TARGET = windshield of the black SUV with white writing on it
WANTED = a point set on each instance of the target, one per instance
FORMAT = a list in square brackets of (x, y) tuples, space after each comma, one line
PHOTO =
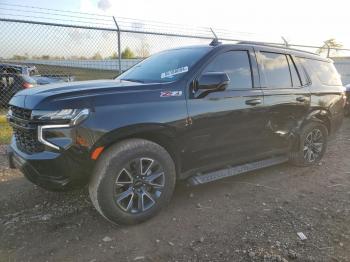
[(166, 66)]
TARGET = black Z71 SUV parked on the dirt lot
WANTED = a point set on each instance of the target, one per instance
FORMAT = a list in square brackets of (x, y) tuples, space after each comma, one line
[(200, 113)]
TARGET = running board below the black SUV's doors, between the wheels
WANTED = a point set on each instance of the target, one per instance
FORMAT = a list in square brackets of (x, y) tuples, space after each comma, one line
[(236, 170)]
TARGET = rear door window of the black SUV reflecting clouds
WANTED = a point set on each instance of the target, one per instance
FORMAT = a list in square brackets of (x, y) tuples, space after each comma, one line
[(276, 70)]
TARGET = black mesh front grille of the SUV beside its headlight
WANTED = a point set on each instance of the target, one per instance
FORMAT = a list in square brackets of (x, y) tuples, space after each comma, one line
[(25, 131)]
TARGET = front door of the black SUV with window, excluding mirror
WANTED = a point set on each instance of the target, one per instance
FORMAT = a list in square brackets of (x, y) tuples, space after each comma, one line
[(226, 125)]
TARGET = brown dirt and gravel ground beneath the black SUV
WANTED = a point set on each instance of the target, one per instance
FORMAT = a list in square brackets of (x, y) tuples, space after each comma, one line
[(253, 217)]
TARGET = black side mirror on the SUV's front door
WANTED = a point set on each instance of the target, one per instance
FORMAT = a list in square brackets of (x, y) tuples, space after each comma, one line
[(212, 81)]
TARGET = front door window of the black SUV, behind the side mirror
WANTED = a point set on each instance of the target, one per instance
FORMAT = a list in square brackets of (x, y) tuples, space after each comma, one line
[(237, 66)]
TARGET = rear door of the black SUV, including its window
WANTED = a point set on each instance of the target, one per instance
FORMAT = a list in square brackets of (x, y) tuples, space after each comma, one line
[(286, 98)]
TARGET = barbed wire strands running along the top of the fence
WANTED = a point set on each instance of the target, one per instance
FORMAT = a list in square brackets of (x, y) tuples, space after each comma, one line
[(132, 24)]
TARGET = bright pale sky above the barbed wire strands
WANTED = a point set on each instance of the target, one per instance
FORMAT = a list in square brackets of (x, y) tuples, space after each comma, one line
[(300, 21)]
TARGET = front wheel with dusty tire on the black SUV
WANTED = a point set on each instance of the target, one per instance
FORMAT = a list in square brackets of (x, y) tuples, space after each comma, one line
[(132, 181)]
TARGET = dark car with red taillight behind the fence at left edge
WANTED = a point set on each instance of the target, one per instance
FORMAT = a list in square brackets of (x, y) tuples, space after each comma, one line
[(11, 83)]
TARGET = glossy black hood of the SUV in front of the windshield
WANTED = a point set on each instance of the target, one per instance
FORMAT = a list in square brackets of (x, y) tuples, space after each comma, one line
[(76, 94)]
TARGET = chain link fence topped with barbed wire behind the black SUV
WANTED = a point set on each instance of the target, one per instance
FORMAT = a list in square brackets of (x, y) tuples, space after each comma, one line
[(42, 48)]
